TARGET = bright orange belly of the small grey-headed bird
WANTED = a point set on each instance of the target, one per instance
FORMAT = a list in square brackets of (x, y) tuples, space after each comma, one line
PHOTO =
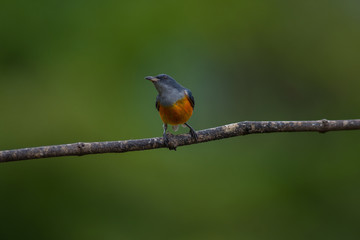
[(178, 113)]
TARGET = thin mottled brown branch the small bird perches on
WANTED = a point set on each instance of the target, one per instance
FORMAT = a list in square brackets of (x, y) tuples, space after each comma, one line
[(226, 131)]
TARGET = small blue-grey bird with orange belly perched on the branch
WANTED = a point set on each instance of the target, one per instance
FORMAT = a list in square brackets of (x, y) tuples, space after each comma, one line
[(174, 103)]
